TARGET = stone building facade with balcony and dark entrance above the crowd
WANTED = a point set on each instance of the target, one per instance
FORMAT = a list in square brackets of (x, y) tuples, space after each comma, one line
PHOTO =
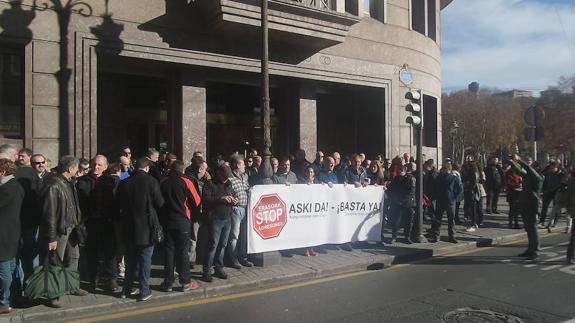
[(89, 77)]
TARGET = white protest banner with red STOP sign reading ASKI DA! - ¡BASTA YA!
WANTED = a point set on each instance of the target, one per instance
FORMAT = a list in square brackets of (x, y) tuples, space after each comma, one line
[(297, 216)]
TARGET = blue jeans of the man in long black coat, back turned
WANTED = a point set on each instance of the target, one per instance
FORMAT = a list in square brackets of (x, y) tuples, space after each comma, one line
[(138, 257)]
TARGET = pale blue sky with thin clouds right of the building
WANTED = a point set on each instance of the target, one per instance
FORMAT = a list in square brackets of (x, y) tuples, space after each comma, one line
[(507, 44)]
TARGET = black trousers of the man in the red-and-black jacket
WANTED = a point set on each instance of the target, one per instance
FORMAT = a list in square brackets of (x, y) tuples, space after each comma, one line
[(176, 246)]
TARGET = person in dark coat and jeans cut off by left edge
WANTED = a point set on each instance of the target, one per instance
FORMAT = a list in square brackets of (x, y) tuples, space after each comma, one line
[(11, 197)]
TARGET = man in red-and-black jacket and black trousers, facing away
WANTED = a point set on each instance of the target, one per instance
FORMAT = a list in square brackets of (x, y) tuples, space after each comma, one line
[(181, 198)]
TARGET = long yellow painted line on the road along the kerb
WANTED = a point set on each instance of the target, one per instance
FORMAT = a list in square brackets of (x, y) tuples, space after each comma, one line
[(167, 307)]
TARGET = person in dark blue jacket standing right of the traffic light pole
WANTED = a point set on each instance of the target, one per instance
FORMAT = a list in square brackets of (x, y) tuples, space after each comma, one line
[(448, 187)]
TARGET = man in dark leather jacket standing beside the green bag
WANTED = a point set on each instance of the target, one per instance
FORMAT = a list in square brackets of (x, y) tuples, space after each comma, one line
[(60, 215)]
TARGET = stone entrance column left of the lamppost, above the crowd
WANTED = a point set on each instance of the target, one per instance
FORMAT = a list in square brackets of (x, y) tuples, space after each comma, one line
[(191, 122)]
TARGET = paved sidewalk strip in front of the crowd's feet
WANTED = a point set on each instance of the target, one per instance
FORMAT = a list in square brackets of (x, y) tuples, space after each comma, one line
[(331, 261)]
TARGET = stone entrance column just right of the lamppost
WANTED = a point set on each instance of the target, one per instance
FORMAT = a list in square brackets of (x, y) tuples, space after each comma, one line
[(308, 120)]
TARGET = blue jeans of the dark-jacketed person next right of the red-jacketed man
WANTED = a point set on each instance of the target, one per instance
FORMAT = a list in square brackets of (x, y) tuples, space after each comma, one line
[(217, 241)]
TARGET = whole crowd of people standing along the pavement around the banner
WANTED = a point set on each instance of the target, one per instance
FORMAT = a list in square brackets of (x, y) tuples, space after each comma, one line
[(105, 218)]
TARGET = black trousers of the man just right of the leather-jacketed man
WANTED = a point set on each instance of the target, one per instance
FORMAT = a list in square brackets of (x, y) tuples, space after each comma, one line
[(101, 248)]
